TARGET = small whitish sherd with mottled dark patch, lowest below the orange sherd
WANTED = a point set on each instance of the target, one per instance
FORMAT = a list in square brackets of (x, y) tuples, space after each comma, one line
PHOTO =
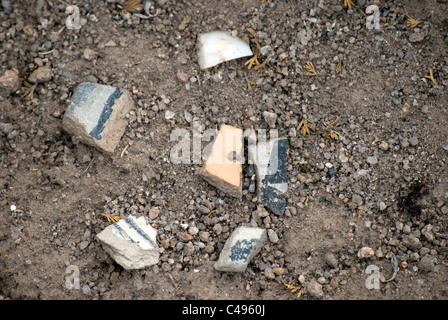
[(240, 248)]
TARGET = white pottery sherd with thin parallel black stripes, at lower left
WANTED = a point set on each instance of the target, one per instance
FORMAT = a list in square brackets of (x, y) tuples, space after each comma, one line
[(131, 242)]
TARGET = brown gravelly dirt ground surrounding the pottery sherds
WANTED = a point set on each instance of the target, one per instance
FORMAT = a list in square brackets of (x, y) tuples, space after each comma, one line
[(376, 178)]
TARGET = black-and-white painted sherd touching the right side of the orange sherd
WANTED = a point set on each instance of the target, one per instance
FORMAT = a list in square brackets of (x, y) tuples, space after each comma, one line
[(270, 159)]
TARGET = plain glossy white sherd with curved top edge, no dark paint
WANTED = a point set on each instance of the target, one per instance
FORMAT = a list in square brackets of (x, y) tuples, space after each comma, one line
[(217, 47)]
